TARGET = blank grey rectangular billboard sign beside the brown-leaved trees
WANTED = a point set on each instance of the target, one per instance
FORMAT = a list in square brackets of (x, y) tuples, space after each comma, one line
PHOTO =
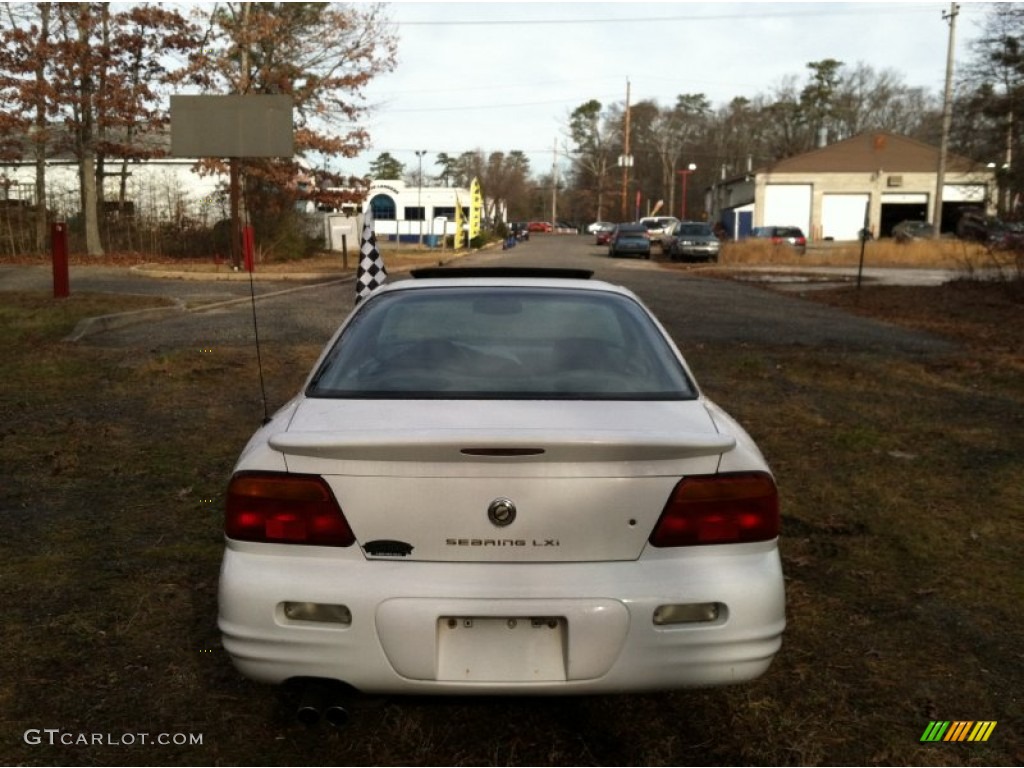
[(254, 126)]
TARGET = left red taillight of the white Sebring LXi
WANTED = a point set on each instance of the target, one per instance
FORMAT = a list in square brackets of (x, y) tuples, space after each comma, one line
[(284, 508)]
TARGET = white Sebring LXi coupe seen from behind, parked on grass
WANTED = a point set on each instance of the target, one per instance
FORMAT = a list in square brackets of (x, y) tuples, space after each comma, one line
[(501, 483)]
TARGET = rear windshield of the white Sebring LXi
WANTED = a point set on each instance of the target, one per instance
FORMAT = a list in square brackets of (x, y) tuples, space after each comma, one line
[(487, 343)]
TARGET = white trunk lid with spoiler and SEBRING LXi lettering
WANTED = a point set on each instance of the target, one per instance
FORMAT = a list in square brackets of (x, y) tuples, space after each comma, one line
[(466, 482)]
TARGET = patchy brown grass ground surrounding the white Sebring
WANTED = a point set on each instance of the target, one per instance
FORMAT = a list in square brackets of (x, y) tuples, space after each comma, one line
[(903, 483)]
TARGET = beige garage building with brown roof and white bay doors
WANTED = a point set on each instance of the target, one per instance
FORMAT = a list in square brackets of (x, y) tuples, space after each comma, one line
[(828, 192)]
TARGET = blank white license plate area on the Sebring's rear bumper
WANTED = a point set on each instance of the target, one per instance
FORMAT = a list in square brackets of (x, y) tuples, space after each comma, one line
[(506, 650)]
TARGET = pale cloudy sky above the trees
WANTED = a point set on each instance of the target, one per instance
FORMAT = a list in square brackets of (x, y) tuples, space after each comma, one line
[(498, 77)]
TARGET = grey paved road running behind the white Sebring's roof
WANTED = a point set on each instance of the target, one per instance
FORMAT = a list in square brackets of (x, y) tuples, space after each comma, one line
[(695, 310)]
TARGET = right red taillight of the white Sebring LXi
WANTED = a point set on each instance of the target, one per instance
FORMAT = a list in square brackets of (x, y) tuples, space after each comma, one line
[(719, 509)]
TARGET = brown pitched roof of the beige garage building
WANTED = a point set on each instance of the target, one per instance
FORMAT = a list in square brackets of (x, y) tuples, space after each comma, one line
[(871, 152)]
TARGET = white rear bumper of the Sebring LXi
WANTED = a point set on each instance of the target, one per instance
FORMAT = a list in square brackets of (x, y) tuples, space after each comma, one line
[(607, 641)]
